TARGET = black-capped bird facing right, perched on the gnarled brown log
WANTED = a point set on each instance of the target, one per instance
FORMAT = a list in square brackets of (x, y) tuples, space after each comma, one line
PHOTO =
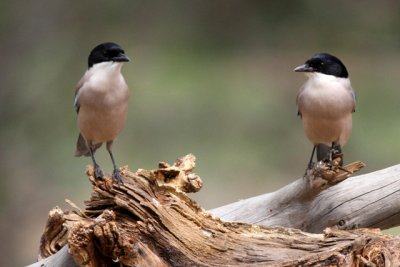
[(101, 104)]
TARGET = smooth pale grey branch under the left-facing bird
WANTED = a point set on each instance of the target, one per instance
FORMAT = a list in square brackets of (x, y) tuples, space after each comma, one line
[(312, 203)]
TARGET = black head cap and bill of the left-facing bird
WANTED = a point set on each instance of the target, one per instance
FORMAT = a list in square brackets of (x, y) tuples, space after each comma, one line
[(326, 64)]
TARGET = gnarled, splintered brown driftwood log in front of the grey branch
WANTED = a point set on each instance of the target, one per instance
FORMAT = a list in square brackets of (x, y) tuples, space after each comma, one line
[(150, 221)]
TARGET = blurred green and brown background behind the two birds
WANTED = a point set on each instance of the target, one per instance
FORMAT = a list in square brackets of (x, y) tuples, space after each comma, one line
[(209, 77)]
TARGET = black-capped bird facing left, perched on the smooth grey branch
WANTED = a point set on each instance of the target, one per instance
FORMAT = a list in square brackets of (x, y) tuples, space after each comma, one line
[(325, 104)]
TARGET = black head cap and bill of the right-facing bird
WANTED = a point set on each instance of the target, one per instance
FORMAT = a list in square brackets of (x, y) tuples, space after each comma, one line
[(107, 52)]
